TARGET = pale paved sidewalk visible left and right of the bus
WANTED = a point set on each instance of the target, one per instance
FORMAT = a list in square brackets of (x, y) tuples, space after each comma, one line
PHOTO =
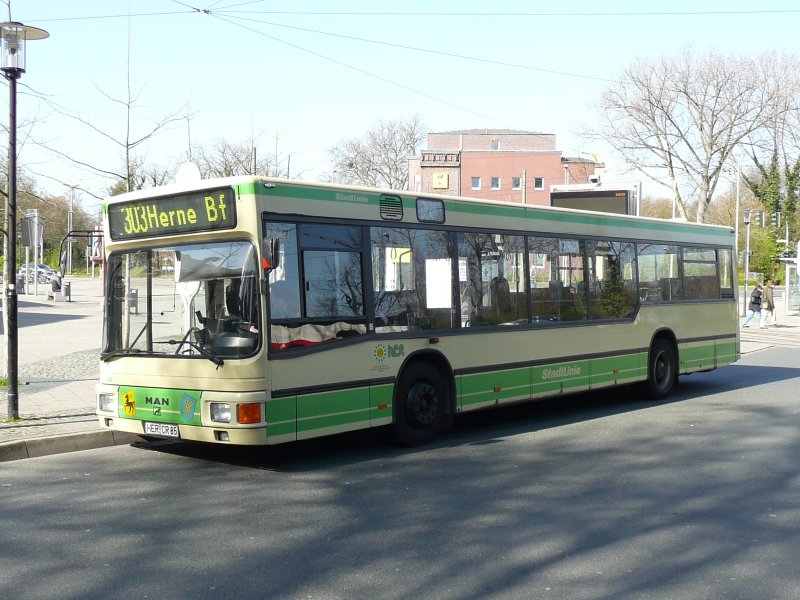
[(59, 348)]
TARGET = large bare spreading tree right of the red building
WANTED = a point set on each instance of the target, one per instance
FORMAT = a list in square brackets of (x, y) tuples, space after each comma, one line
[(683, 117)]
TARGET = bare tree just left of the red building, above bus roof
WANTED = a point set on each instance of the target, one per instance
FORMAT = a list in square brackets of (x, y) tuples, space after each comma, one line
[(380, 157)]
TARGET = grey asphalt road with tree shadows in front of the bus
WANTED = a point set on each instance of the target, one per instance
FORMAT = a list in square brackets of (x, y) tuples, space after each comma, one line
[(599, 496)]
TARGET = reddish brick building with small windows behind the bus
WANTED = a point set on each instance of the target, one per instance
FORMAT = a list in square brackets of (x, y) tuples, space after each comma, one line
[(496, 164)]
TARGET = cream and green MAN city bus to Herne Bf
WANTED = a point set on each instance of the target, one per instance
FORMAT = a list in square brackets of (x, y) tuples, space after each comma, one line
[(259, 311)]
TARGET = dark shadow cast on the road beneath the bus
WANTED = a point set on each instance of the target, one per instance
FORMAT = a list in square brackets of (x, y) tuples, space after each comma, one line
[(475, 428)]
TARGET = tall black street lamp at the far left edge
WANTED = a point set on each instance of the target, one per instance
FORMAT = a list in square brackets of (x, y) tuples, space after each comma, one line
[(13, 37)]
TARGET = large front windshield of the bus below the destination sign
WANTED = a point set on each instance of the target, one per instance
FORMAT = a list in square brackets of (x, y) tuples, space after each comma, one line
[(193, 300)]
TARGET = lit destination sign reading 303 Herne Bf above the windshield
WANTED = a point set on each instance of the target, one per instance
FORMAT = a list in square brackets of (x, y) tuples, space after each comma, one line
[(199, 211)]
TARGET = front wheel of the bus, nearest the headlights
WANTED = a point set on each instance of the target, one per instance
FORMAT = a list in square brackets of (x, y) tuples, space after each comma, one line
[(419, 404)]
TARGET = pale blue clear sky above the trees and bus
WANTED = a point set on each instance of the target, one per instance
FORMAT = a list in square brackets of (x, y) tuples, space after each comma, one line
[(300, 76)]
